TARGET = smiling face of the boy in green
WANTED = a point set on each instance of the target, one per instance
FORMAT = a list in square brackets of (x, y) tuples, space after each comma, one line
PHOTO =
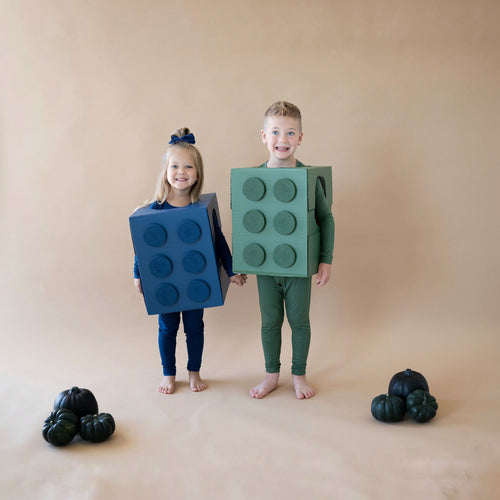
[(281, 135)]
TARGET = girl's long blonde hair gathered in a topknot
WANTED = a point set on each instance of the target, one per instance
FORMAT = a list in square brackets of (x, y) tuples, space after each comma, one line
[(163, 187)]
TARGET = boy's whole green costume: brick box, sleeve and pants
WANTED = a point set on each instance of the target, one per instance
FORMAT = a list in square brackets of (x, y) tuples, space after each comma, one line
[(283, 229)]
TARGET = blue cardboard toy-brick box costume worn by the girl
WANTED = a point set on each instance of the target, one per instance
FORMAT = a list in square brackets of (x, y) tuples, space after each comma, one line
[(176, 257)]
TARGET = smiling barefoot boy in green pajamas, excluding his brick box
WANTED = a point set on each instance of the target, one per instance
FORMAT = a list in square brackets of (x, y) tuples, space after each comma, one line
[(282, 134)]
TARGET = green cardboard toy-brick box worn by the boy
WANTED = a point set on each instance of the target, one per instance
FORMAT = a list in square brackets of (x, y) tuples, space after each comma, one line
[(273, 214)]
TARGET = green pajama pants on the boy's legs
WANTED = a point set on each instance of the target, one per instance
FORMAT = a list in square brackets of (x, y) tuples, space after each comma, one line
[(295, 295)]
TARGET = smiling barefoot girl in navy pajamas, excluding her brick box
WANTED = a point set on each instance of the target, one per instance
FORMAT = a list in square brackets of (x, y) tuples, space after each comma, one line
[(179, 184)]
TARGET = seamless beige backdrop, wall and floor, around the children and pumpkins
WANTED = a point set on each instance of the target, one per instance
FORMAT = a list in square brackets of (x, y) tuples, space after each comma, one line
[(402, 98)]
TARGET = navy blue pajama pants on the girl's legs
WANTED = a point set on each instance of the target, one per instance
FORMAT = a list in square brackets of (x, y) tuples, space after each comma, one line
[(167, 339)]
